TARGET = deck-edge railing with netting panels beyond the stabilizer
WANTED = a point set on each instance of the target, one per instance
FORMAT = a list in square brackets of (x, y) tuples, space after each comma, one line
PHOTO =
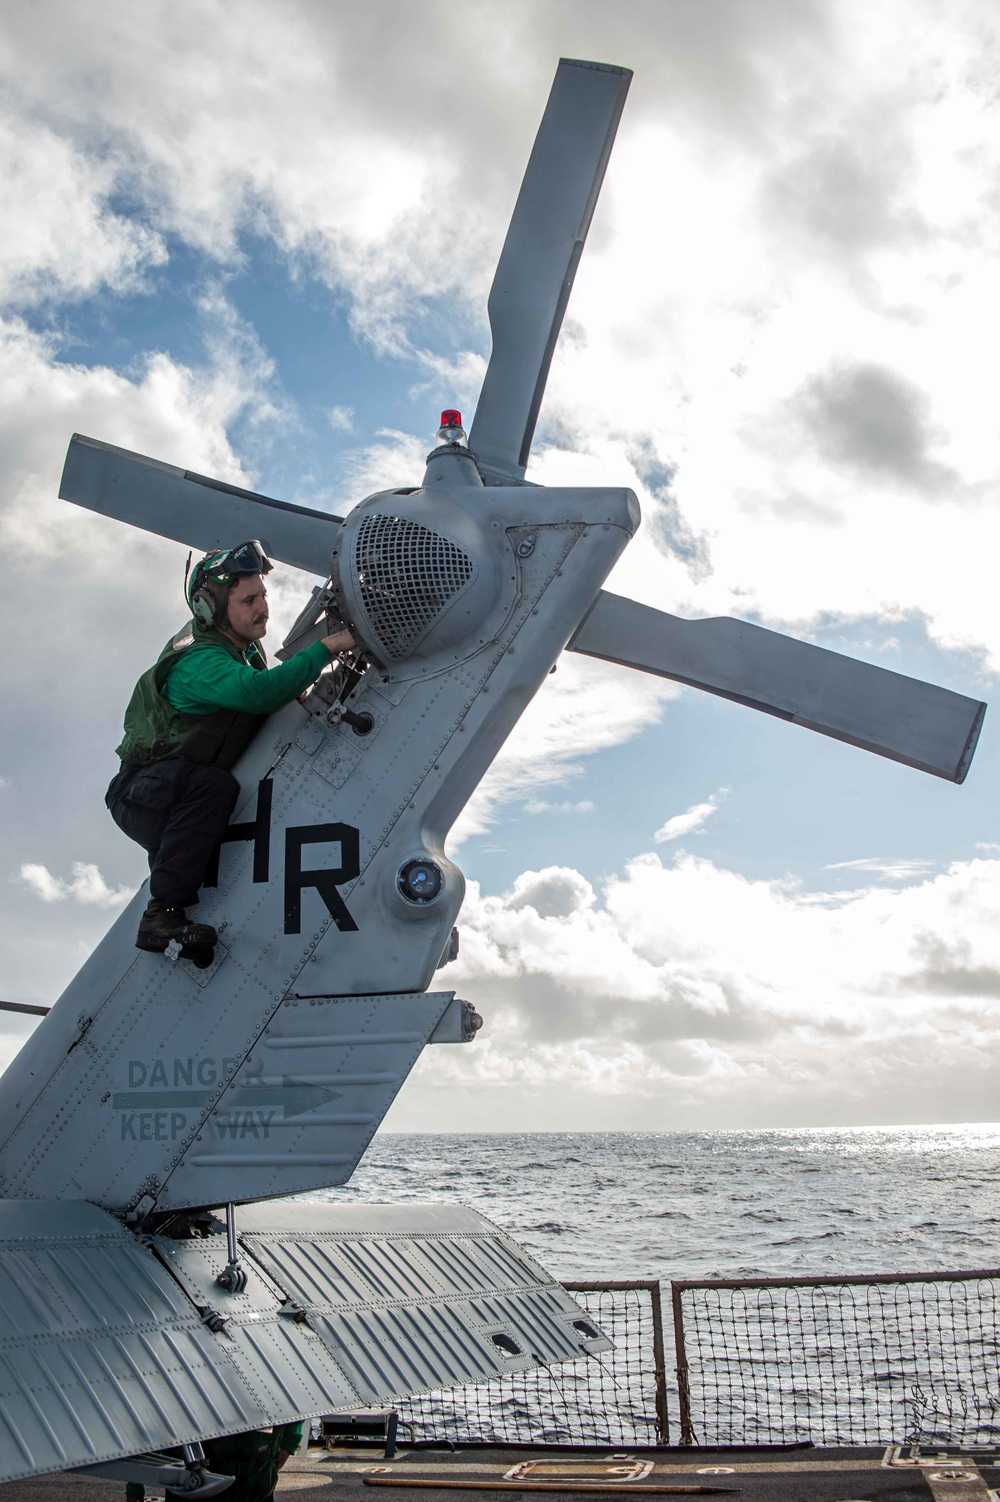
[(876, 1359)]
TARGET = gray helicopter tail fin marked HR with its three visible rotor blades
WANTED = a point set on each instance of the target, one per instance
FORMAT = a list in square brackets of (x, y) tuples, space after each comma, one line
[(463, 594)]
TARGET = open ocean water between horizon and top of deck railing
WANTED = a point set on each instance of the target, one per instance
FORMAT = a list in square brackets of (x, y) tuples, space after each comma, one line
[(712, 1205)]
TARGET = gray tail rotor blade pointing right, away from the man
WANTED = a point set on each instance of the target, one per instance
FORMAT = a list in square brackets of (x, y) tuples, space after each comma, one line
[(869, 707)]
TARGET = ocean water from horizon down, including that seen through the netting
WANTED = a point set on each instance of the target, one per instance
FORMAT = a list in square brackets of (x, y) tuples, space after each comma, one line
[(873, 1365)]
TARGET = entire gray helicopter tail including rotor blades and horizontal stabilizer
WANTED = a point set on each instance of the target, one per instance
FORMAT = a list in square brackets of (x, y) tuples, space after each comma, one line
[(154, 1087)]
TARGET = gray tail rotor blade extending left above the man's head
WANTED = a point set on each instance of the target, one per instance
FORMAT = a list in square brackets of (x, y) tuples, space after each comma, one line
[(193, 510)]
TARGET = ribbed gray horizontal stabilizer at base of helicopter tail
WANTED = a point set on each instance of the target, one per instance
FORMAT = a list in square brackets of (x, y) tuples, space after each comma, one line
[(113, 1347)]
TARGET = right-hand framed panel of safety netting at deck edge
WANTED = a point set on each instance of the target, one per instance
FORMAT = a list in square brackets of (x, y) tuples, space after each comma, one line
[(881, 1360)]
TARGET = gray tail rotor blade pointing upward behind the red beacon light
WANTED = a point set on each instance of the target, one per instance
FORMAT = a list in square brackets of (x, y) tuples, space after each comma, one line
[(540, 258)]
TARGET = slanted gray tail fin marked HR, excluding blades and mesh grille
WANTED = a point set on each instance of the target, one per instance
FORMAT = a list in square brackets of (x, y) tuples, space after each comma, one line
[(298, 968)]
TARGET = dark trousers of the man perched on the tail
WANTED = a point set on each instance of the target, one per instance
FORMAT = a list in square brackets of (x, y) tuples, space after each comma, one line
[(178, 812)]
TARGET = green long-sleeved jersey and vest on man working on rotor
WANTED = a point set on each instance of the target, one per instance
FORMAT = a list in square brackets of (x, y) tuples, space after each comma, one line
[(205, 698)]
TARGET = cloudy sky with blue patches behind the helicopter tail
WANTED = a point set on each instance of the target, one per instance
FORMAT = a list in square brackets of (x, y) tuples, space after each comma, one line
[(258, 241)]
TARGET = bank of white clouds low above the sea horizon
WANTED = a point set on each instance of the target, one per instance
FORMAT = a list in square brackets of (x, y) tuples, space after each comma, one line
[(685, 994)]
